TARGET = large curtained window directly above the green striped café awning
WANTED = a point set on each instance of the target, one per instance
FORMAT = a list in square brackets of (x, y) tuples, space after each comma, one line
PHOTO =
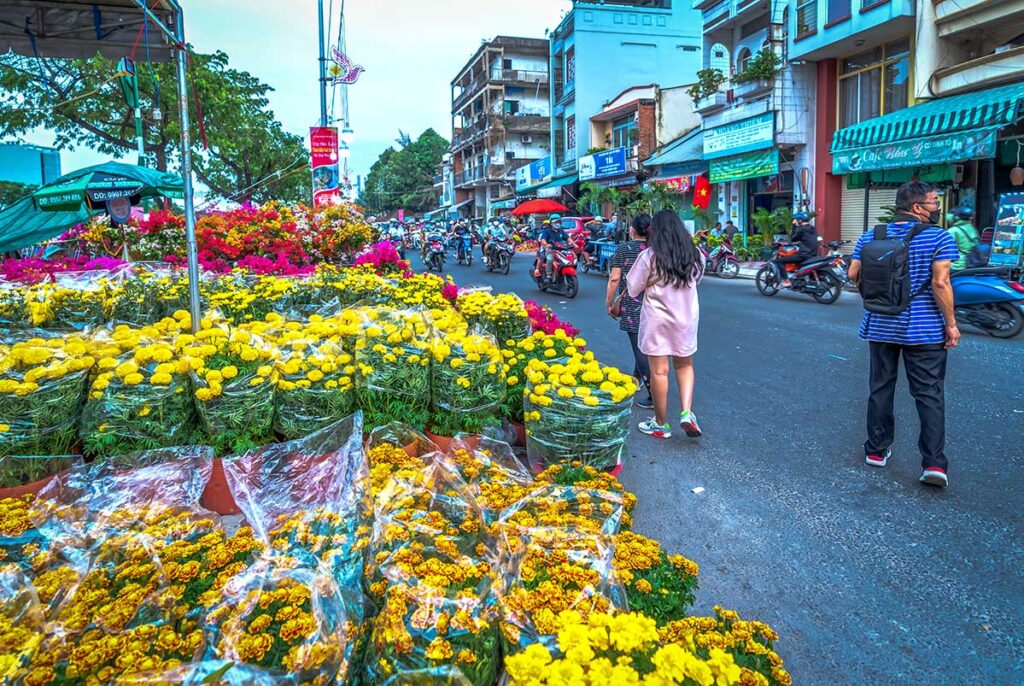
[(875, 82)]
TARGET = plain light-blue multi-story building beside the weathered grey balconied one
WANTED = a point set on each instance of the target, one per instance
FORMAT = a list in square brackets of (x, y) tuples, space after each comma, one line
[(605, 48)]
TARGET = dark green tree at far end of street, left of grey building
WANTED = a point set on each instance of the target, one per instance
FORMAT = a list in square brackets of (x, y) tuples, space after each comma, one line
[(404, 179)]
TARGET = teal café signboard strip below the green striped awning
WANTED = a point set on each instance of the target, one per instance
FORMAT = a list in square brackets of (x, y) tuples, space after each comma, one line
[(918, 153)]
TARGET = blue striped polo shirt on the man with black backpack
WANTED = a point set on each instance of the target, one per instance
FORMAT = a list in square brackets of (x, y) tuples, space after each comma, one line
[(922, 323)]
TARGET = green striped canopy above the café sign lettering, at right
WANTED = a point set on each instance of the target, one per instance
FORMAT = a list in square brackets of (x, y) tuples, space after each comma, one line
[(957, 114)]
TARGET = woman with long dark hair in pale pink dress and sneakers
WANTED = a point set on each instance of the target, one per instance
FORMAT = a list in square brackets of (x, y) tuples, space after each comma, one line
[(667, 274)]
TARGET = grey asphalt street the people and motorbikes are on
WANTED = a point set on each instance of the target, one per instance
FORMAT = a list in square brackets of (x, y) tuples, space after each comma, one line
[(869, 577)]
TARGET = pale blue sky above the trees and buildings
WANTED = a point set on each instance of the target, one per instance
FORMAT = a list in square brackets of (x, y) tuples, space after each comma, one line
[(412, 51)]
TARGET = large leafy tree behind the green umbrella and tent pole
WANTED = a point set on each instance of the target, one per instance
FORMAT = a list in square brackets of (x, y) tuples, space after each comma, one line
[(80, 102)]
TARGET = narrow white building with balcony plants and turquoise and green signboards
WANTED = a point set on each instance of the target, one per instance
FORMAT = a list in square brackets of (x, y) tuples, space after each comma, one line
[(758, 124)]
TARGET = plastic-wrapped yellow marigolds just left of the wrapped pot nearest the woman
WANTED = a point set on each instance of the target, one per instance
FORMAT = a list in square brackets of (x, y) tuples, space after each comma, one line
[(467, 382)]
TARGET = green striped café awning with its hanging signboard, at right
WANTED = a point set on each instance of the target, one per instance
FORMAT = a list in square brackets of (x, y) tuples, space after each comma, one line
[(947, 130)]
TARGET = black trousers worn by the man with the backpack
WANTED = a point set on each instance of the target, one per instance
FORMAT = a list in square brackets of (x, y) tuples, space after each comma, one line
[(926, 372)]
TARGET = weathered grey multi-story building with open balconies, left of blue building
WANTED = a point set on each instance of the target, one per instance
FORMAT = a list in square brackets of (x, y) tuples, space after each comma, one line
[(500, 121)]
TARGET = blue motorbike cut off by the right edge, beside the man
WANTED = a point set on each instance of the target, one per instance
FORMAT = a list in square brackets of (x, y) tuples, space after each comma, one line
[(988, 298)]
